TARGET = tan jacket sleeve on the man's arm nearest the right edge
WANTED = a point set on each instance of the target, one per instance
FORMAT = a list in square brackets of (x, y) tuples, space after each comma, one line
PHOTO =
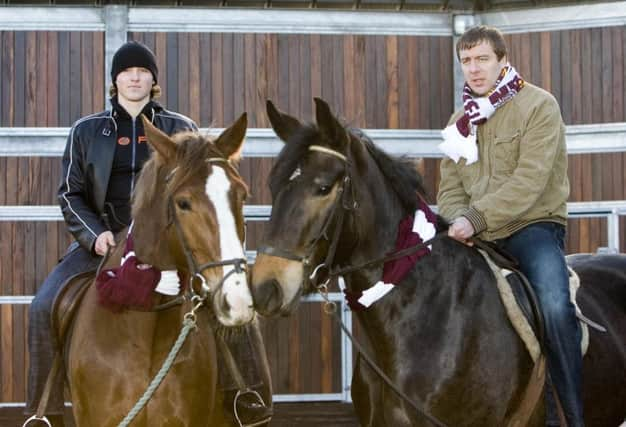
[(538, 150)]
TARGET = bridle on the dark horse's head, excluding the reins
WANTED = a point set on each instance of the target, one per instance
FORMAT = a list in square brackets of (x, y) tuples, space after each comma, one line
[(344, 202)]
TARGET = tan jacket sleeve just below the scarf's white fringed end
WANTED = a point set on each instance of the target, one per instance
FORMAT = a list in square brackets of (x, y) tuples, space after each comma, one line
[(452, 200)]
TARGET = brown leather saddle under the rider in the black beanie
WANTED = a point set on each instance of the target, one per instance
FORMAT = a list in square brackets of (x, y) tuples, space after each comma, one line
[(66, 303)]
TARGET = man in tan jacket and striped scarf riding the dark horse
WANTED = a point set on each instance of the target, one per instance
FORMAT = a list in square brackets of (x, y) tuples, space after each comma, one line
[(504, 179)]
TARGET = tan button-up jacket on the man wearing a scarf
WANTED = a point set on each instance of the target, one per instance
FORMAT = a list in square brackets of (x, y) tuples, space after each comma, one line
[(521, 173)]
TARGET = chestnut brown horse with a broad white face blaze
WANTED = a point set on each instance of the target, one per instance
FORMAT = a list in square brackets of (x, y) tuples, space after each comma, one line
[(188, 216)]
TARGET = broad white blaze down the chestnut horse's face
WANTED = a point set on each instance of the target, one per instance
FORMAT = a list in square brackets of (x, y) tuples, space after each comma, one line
[(235, 289)]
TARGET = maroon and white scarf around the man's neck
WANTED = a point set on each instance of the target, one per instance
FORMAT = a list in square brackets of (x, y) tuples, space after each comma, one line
[(459, 139)]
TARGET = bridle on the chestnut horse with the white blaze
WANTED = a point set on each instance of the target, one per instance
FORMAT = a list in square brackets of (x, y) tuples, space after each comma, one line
[(239, 264)]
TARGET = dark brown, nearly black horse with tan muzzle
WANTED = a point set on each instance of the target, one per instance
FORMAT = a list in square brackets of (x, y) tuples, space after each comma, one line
[(441, 335)]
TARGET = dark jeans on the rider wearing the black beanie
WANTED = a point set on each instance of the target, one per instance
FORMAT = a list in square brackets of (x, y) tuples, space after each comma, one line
[(40, 339)]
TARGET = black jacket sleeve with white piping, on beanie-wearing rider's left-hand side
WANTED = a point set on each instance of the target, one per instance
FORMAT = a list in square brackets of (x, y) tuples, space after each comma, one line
[(81, 219)]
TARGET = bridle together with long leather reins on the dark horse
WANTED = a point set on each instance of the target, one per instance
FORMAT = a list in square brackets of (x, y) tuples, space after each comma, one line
[(346, 202)]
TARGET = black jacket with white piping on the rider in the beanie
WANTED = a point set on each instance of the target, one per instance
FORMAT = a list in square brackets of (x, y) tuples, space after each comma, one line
[(86, 168)]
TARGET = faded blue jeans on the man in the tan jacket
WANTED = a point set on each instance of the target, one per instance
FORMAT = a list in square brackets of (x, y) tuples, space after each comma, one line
[(539, 250)]
